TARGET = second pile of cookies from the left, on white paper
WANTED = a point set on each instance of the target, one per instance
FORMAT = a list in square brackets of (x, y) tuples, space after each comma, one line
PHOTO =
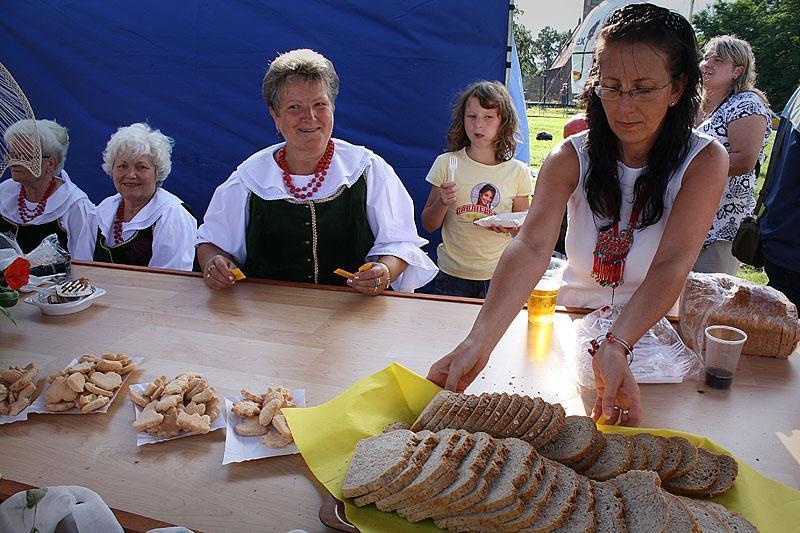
[(89, 384)]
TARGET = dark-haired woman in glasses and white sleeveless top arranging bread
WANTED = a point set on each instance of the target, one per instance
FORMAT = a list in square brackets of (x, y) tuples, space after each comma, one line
[(641, 187)]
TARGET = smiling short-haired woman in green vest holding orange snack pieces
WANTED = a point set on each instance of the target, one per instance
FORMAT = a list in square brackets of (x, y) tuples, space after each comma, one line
[(299, 210)]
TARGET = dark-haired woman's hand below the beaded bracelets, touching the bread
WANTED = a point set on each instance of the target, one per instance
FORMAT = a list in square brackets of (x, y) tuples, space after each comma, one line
[(618, 397)]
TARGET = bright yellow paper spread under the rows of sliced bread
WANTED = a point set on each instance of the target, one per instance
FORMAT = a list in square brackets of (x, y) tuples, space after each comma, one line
[(327, 435)]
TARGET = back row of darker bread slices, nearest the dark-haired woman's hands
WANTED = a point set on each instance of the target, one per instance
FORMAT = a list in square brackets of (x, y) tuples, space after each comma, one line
[(576, 442)]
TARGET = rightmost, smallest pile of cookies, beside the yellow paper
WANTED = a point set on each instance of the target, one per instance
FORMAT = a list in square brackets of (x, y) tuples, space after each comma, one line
[(262, 416)]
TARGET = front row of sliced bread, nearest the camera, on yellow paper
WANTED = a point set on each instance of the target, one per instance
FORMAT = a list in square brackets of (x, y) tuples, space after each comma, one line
[(474, 482)]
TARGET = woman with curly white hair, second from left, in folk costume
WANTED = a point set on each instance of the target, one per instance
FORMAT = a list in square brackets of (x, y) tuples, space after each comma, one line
[(143, 224)]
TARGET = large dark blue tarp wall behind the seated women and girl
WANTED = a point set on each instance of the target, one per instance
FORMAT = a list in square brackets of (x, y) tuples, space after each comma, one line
[(193, 69)]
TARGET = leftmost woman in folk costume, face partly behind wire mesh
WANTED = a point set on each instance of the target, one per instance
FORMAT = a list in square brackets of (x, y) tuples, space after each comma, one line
[(33, 207)]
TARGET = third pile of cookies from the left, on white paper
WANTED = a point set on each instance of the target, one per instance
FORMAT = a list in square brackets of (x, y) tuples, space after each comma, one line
[(186, 403)]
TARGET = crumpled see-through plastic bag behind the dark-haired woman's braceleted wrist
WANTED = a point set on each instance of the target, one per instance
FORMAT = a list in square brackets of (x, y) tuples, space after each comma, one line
[(660, 356)]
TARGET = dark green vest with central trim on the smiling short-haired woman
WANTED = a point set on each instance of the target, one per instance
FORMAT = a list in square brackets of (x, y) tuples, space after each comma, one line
[(305, 241)]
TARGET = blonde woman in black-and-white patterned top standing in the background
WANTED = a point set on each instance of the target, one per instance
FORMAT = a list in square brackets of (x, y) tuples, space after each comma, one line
[(737, 115)]
